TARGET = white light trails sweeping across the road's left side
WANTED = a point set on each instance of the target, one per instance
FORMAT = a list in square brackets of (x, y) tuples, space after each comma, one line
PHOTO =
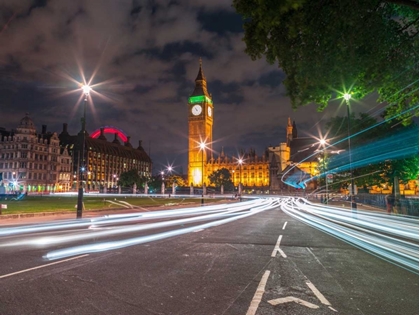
[(87, 229)]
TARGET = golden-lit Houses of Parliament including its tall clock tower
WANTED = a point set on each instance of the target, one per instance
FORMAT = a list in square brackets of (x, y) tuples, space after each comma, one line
[(250, 170)]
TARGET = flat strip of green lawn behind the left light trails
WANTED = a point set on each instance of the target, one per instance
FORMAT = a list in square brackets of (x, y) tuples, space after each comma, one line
[(32, 204)]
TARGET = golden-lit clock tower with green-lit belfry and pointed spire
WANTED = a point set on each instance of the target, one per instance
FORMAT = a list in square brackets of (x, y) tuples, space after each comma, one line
[(200, 130)]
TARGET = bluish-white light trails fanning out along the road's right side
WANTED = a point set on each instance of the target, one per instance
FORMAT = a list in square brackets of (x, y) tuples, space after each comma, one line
[(358, 229)]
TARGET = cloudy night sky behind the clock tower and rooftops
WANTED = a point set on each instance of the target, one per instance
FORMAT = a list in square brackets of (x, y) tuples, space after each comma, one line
[(142, 58)]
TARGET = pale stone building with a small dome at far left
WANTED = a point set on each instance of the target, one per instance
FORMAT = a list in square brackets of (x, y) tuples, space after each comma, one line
[(33, 162)]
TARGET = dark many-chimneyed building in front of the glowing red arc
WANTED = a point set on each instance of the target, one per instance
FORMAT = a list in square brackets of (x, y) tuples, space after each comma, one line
[(102, 162)]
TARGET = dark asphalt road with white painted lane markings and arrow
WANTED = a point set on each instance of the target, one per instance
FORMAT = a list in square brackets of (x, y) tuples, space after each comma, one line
[(267, 263)]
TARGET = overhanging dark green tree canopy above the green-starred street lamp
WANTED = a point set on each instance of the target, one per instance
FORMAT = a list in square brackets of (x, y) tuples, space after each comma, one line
[(330, 47)]
